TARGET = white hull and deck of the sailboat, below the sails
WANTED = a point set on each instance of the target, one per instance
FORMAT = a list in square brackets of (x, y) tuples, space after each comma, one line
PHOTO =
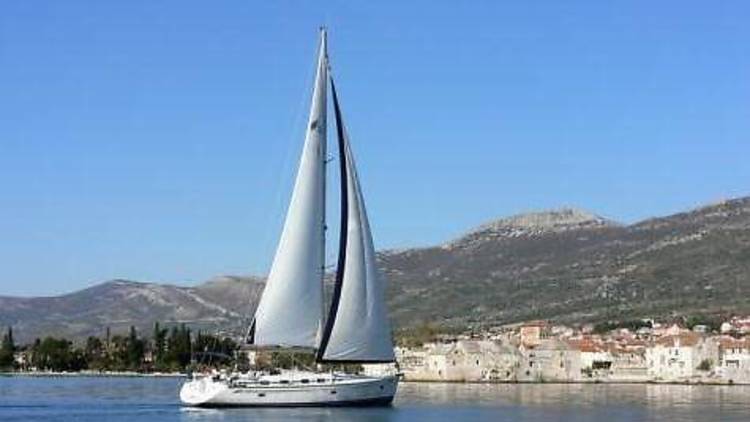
[(347, 390)]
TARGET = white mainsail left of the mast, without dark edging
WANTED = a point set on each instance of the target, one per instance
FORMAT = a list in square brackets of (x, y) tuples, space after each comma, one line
[(290, 310)]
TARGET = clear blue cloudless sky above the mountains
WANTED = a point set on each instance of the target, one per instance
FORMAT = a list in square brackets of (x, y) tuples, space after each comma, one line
[(158, 140)]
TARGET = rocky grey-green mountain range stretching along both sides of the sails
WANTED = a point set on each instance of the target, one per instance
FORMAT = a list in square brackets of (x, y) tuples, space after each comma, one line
[(567, 265)]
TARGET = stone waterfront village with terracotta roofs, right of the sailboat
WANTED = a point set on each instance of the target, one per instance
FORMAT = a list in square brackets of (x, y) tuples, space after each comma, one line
[(538, 351)]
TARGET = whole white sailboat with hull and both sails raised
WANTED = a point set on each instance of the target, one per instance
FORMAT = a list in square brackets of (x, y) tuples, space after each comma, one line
[(291, 312)]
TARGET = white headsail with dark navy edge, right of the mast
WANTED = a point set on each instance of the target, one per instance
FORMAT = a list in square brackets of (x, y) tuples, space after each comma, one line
[(357, 329)]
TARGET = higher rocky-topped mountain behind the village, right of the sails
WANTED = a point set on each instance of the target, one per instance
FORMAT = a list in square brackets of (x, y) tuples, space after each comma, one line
[(570, 266)]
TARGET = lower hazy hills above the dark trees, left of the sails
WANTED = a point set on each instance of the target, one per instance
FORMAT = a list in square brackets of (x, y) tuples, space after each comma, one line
[(118, 304)]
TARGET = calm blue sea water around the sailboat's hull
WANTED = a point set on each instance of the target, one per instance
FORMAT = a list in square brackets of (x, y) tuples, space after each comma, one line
[(25, 398)]
